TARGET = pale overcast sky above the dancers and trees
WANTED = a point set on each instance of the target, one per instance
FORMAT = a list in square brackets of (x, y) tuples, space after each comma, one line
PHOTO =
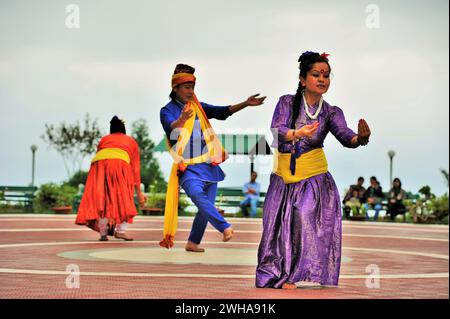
[(120, 60)]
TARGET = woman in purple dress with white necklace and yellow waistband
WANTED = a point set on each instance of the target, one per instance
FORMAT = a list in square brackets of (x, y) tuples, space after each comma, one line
[(301, 240)]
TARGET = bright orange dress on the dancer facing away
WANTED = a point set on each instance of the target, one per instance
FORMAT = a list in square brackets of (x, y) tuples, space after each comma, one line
[(110, 185)]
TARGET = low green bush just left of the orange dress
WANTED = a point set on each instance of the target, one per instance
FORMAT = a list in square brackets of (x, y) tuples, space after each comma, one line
[(52, 195)]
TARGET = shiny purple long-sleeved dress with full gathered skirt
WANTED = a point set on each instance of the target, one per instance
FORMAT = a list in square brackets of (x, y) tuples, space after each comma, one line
[(302, 222)]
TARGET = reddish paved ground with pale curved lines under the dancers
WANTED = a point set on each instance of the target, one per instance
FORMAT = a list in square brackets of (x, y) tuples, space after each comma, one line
[(38, 253)]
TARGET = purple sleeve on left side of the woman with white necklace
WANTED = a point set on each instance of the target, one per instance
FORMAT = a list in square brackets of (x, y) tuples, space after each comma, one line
[(280, 120)]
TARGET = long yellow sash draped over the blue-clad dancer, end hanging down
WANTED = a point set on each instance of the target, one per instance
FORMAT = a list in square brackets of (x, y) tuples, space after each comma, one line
[(216, 155)]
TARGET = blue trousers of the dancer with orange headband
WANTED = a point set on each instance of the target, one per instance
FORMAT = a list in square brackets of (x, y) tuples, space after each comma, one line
[(203, 194)]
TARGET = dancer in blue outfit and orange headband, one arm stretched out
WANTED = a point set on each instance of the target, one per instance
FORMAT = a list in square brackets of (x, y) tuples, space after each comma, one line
[(199, 181)]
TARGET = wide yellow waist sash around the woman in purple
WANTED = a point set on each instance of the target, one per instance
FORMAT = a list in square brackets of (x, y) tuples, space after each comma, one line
[(308, 164)]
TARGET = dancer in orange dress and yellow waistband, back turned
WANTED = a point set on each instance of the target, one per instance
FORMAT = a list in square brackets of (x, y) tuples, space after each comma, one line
[(107, 205)]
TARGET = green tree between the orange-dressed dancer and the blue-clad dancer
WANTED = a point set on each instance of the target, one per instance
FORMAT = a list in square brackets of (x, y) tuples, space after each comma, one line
[(150, 171)]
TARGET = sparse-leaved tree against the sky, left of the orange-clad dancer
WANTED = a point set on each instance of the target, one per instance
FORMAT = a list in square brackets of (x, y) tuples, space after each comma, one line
[(73, 142)]
